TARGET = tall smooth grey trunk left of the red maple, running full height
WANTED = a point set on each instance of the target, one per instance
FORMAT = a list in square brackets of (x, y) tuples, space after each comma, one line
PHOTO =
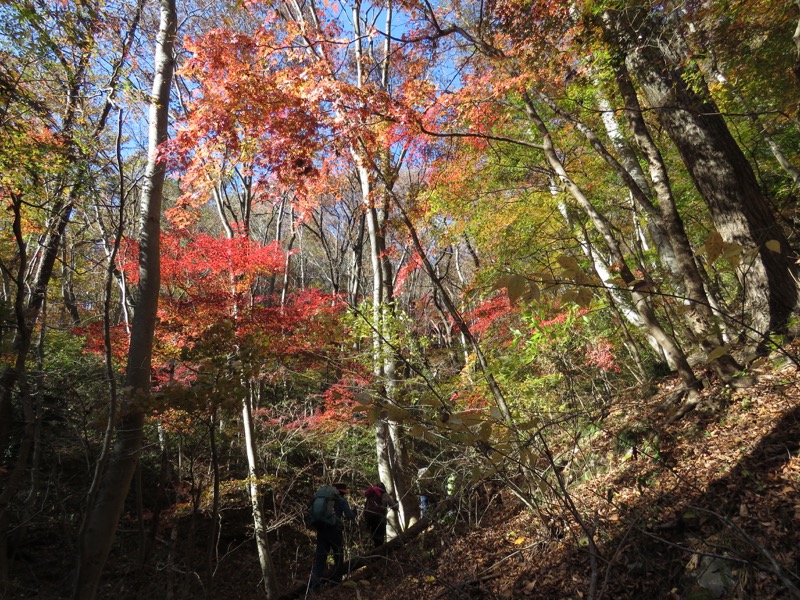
[(100, 524)]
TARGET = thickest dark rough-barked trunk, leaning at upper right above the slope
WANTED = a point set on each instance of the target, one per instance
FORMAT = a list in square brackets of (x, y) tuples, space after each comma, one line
[(720, 171)]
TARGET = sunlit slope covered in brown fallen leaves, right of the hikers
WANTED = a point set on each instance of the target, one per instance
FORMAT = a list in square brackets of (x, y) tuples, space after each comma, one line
[(705, 506)]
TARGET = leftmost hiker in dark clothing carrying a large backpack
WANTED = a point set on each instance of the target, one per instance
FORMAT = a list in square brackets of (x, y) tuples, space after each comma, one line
[(327, 511)]
